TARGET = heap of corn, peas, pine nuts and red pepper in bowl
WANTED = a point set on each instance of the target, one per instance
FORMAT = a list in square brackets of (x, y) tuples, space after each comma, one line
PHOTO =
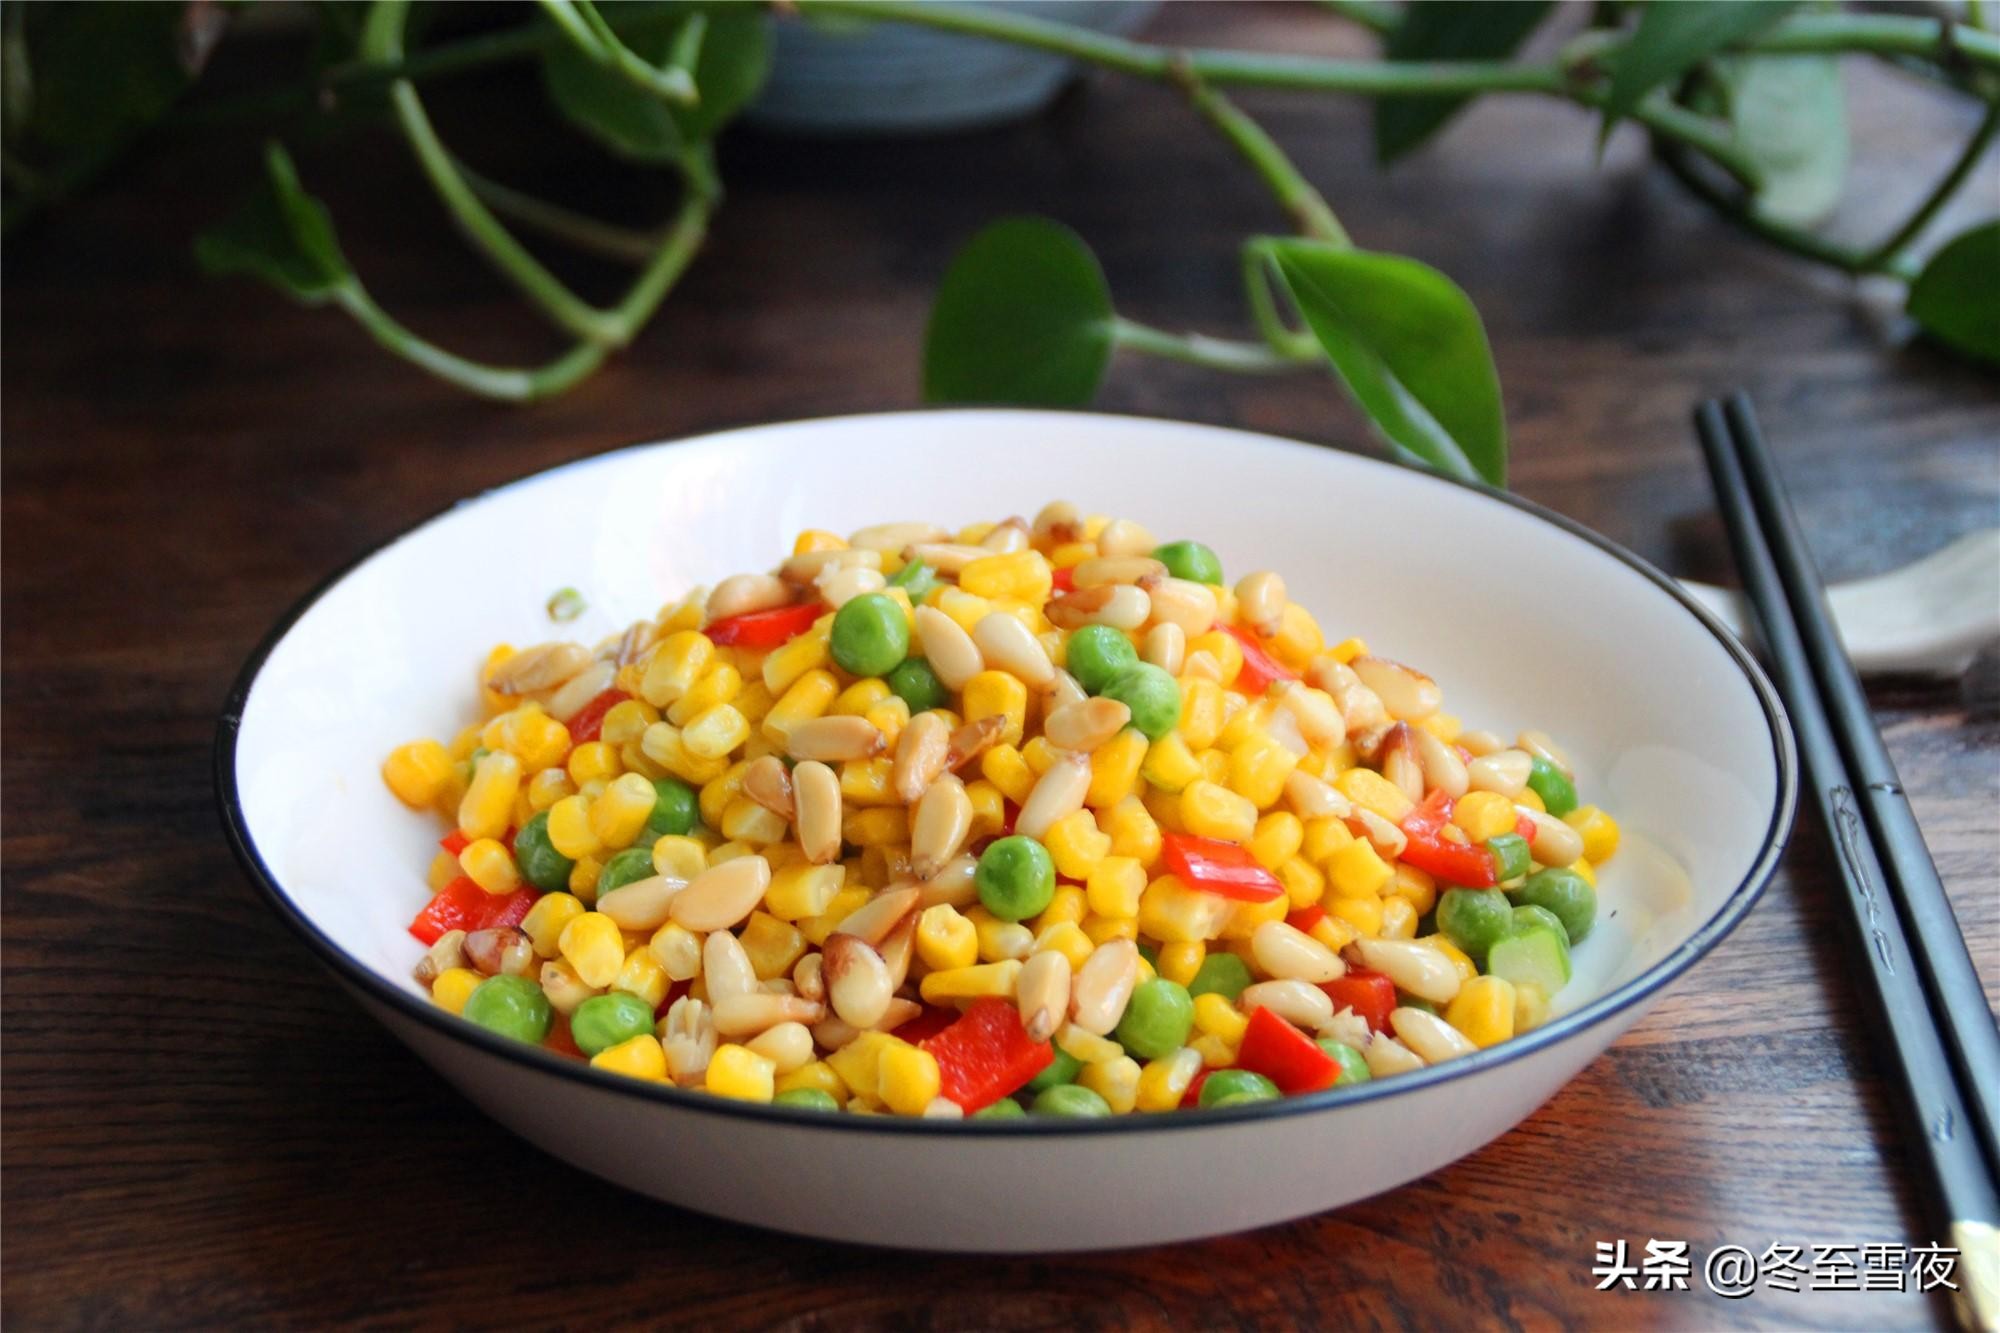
[(1017, 820)]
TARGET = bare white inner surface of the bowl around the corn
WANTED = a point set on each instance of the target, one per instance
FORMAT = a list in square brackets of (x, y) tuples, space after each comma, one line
[(1523, 621)]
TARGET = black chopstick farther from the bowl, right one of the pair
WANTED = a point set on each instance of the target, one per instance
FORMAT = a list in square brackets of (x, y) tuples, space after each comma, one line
[(1937, 944)]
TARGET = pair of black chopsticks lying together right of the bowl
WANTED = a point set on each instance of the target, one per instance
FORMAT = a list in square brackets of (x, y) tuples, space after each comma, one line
[(1943, 1038)]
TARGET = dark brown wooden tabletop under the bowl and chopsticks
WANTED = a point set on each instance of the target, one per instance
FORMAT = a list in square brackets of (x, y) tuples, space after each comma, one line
[(203, 1132)]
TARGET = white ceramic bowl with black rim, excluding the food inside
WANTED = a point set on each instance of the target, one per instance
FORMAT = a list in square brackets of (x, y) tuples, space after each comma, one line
[(1523, 617)]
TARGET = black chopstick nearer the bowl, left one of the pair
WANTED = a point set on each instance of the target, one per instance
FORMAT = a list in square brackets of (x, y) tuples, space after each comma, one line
[(1943, 1138)]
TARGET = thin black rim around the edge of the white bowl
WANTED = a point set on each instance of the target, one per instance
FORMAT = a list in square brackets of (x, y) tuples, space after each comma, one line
[(1553, 1034)]
